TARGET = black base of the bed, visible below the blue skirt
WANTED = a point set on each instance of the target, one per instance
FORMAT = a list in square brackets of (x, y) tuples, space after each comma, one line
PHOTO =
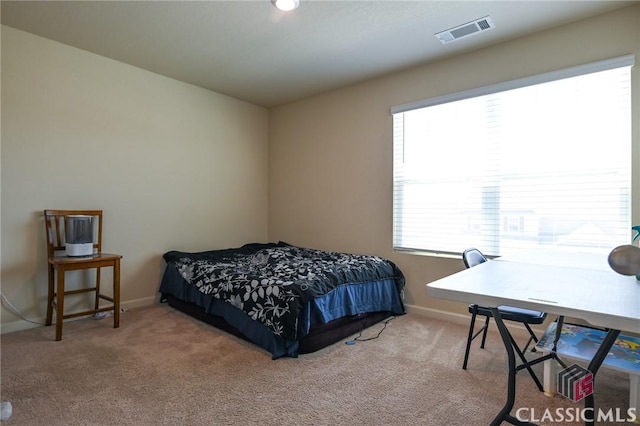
[(319, 336)]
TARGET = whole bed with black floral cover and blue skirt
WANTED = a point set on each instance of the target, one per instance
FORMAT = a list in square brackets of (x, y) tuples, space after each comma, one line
[(286, 299)]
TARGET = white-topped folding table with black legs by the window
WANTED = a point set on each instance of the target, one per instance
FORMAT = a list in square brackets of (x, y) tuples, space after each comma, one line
[(577, 285)]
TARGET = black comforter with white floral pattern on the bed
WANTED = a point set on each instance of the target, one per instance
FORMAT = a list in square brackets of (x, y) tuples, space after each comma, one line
[(272, 282)]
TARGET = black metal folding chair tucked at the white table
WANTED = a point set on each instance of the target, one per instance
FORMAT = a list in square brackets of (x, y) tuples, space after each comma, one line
[(473, 257)]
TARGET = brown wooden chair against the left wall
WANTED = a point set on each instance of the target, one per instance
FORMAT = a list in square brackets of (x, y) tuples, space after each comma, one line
[(60, 263)]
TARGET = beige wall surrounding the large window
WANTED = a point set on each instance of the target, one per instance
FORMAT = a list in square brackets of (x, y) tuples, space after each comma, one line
[(330, 175)]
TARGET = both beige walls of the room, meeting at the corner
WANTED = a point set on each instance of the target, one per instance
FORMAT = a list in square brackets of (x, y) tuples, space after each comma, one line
[(178, 167)]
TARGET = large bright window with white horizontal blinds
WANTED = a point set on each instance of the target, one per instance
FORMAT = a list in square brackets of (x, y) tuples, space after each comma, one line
[(541, 161)]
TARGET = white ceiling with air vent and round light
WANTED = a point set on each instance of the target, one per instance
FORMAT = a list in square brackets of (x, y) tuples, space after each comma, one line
[(251, 51)]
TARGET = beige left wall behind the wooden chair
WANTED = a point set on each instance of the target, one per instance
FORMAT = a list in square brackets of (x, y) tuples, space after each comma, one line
[(172, 165)]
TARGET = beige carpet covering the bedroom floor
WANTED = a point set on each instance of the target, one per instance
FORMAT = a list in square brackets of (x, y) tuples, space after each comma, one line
[(163, 368)]
